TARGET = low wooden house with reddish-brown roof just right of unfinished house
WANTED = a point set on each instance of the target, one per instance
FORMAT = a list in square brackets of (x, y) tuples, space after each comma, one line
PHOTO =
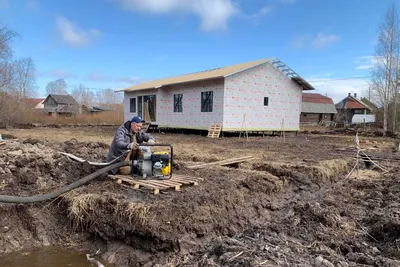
[(316, 108)]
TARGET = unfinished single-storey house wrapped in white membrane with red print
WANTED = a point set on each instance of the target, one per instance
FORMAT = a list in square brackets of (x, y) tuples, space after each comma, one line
[(261, 95)]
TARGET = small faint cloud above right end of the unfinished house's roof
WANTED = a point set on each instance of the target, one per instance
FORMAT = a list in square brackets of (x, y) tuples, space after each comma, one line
[(318, 41)]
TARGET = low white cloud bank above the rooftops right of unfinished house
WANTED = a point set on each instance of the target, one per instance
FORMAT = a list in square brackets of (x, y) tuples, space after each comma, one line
[(338, 89)]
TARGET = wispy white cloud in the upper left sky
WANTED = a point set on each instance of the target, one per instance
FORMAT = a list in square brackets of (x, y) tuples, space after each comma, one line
[(72, 34)]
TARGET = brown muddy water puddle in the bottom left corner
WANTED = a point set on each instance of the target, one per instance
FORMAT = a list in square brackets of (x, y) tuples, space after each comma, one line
[(47, 257)]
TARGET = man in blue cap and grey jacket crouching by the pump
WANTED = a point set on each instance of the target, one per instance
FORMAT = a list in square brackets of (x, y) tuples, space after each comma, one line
[(128, 137)]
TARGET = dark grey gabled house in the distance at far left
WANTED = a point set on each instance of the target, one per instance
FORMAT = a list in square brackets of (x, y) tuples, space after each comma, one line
[(61, 105)]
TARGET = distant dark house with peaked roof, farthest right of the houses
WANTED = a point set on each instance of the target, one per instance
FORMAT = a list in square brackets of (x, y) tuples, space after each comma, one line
[(352, 110)]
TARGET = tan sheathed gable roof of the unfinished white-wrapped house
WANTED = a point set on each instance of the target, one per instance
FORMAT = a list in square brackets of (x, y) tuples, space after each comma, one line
[(220, 73)]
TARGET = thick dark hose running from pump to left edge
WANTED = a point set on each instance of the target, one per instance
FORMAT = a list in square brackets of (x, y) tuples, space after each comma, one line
[(64, 189)]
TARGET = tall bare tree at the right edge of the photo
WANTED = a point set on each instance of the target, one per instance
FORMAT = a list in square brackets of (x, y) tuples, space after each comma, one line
[(384, 73)]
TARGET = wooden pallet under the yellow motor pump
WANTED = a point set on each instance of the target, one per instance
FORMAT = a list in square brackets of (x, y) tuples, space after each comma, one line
[(176, 182)]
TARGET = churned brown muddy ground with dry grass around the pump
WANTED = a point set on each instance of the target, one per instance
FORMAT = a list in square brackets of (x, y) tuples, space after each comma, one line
[(292, 205)]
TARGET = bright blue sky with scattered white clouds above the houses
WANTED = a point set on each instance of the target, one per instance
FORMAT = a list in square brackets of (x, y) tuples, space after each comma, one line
[(118, 43)]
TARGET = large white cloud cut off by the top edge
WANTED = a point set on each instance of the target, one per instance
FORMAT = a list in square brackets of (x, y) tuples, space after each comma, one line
[(214, 14)]
